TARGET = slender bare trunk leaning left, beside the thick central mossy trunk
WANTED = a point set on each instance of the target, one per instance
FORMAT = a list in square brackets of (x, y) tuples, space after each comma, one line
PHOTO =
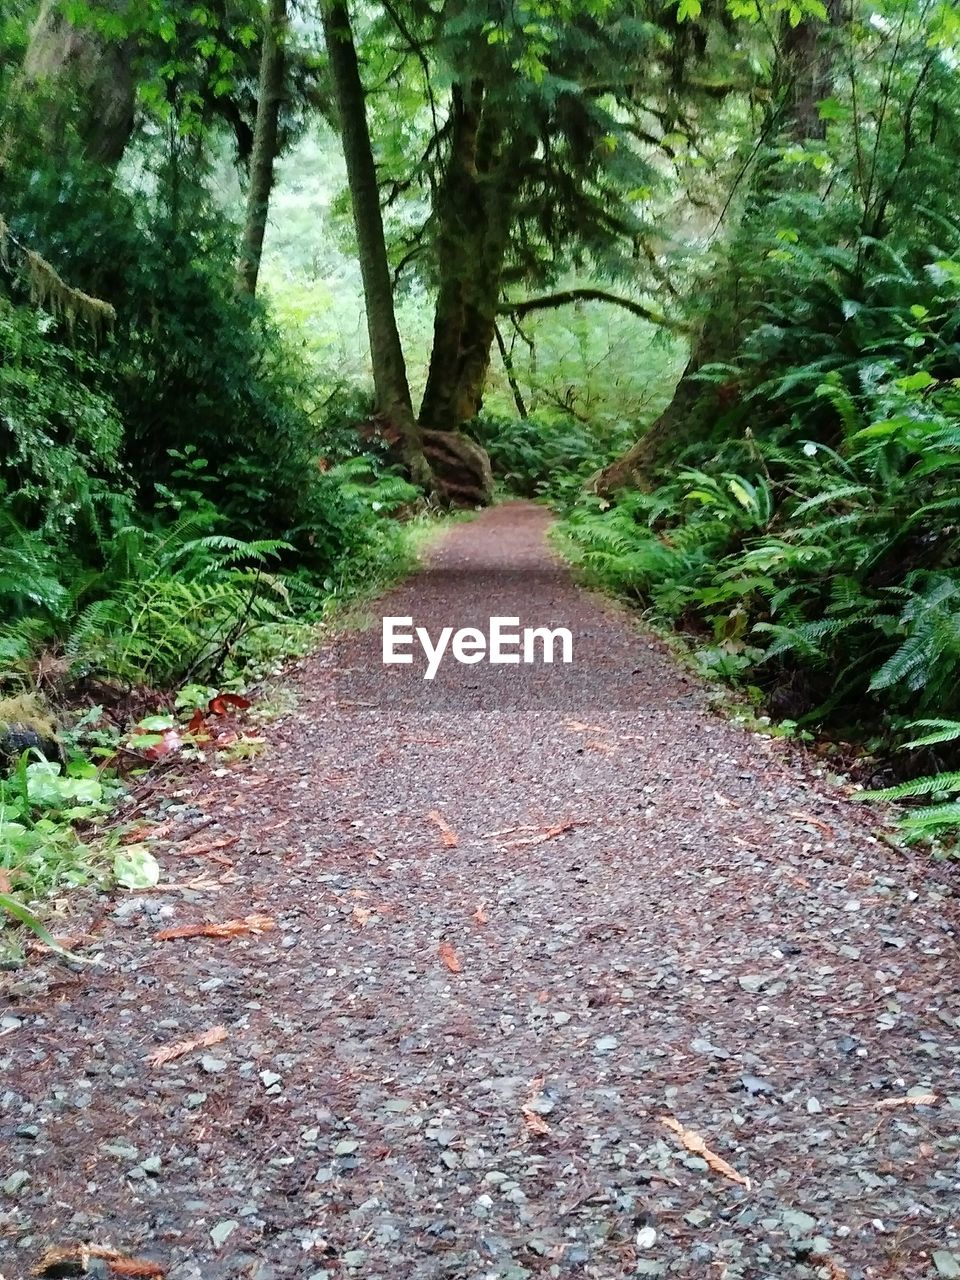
[(394, 403)]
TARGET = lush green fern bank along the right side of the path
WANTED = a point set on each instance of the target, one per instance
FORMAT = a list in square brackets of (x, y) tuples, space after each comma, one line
[(830, 570)]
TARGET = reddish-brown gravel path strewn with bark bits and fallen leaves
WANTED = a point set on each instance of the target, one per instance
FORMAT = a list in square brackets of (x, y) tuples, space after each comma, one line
[(534, 931)]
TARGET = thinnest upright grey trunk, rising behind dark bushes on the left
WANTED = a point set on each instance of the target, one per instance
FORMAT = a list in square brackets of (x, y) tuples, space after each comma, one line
[(266, 132)]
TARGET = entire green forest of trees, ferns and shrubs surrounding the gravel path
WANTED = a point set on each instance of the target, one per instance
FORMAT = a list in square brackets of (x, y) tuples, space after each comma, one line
[(277, 277)]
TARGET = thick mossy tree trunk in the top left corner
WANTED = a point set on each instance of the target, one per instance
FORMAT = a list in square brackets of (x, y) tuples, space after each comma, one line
[(76, 81)]
